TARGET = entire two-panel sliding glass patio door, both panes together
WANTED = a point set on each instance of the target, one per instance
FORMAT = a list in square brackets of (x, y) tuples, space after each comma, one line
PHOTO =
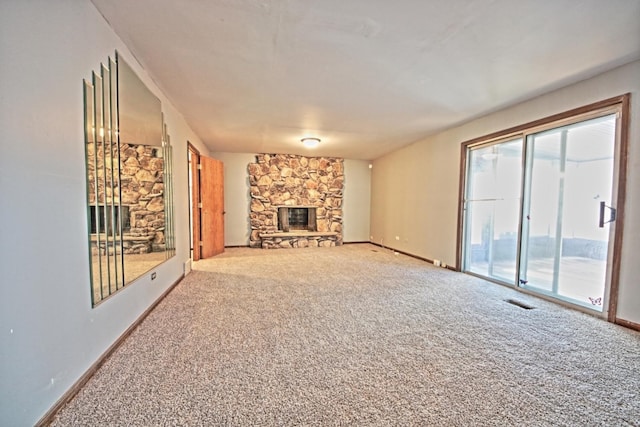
[(539, 208)]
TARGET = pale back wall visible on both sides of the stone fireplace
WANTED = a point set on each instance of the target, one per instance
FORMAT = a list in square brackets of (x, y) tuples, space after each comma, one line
[(237, 197)]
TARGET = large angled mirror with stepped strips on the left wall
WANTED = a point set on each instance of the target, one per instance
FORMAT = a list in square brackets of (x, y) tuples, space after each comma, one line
[(129, 179)]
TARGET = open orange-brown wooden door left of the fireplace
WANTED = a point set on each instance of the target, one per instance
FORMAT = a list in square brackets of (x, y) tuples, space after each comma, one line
[(212, 207)]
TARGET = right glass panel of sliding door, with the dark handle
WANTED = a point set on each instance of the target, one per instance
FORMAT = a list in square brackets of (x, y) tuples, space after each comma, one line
[(569, 173)]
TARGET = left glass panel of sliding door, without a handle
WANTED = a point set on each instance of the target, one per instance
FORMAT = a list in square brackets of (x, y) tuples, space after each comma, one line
[(492, 203)]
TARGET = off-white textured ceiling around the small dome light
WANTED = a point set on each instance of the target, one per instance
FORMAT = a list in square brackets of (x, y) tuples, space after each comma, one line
[(365, 76)]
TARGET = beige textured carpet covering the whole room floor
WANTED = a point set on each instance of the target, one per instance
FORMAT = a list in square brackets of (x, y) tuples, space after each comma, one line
[(356, 335)]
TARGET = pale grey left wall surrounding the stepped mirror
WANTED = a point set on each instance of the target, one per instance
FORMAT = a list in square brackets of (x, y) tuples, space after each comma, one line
[(49, 334)]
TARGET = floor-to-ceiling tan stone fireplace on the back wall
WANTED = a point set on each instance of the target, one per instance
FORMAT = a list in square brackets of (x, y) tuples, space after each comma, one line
[(296, 201)]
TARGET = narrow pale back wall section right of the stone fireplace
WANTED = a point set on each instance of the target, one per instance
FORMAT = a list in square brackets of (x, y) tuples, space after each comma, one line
[(356, 204)]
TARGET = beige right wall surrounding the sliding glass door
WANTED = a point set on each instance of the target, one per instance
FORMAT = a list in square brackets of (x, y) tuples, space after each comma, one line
[(415, 189)]
